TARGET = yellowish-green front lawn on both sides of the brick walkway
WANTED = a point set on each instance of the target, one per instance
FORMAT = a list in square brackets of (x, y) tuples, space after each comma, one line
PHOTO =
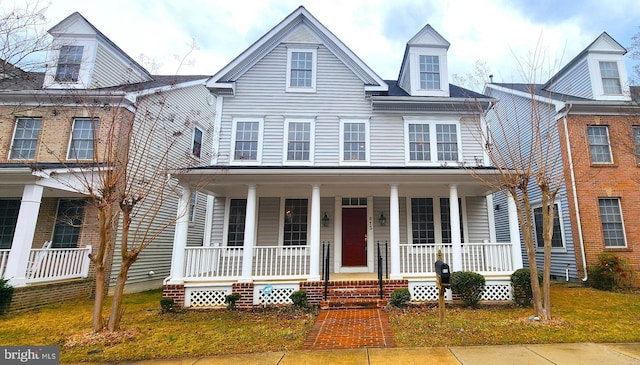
[(580, 315)]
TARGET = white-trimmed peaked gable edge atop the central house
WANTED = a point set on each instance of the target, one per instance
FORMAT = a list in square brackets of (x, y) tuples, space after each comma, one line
[(242, 63)]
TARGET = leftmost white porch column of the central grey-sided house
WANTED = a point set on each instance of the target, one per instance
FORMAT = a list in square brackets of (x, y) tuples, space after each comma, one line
[(180, 238)]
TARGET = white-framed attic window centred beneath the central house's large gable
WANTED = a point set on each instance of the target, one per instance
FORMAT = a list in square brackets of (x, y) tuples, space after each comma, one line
[(301, 70)]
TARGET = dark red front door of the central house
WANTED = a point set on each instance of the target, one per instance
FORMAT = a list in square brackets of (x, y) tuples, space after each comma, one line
[(354, 237)]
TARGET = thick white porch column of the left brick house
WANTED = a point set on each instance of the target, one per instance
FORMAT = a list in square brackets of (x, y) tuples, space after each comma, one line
[(16, 270)]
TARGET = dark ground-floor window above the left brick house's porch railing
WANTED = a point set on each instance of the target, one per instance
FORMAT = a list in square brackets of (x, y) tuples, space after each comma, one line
[(68, 223)]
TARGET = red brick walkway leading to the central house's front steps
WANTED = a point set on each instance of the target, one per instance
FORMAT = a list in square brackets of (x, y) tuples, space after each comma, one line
[(350, 329)]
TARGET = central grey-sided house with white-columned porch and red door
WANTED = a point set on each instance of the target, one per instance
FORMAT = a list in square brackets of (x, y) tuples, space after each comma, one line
[(323, 170)]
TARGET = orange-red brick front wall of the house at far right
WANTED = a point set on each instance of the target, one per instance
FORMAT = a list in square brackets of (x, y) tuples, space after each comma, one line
[(621, 179)]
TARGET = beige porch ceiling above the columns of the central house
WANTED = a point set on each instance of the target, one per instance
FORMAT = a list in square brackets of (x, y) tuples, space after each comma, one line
[(338, 181)]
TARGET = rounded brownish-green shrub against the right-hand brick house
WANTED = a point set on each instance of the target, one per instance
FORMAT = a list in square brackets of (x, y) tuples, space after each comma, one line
[(609, 273)]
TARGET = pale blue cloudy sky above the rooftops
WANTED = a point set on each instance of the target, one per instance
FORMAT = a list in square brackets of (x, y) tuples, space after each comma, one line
[(497, 32)]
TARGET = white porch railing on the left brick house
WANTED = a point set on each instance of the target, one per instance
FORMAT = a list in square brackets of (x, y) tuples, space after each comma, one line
[(52, 264)]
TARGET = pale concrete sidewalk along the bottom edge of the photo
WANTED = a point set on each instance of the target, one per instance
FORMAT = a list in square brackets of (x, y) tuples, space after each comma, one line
[(573, 353)]
